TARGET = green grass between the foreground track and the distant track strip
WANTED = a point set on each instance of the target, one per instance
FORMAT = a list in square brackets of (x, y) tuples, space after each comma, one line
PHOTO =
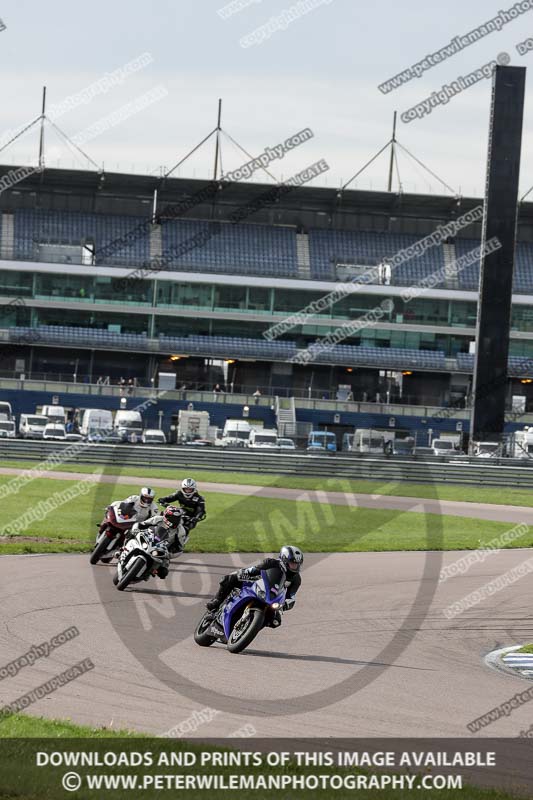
[(241, 524)]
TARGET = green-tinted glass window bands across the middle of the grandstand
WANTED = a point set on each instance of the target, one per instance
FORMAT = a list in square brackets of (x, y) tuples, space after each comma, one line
[(91, 291)]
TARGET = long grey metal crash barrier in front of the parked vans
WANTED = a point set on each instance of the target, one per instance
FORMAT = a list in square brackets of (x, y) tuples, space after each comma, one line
[(420, 469)]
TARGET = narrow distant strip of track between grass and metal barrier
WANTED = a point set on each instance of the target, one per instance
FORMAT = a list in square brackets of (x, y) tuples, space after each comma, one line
[(498, 513)]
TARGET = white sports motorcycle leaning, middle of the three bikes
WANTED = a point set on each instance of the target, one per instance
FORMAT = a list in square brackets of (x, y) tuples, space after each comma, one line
[(143, 556)]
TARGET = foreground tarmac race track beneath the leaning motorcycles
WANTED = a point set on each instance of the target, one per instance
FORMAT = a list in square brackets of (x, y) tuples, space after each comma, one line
[(369, 620)]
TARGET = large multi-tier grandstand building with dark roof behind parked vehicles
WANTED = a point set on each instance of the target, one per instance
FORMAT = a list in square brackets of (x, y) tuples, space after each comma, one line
[(129, 276)]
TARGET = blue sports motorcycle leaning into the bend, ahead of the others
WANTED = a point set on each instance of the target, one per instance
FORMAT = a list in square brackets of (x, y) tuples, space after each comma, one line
[(245, 612)]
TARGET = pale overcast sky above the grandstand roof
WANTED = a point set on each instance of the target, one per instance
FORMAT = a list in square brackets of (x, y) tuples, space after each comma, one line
[(321, 72)]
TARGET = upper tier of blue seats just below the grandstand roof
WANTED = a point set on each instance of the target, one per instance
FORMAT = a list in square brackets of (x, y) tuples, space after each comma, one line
[(245, 248)]
